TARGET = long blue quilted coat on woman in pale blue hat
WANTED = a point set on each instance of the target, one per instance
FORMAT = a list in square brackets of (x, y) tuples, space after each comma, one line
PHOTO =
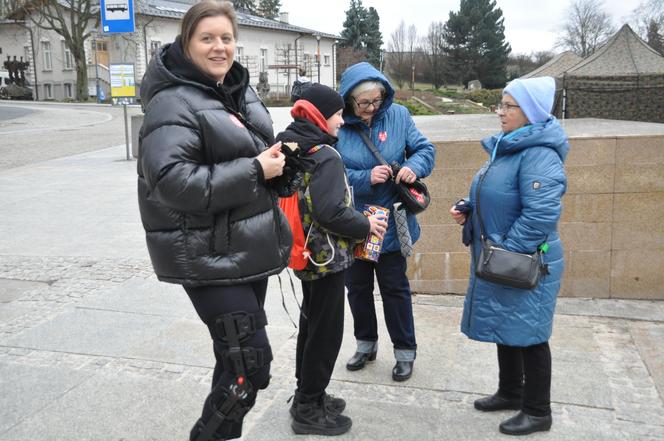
[(520, 201)]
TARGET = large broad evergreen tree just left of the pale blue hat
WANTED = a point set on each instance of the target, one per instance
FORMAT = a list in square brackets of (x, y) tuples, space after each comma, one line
[(475, 43)]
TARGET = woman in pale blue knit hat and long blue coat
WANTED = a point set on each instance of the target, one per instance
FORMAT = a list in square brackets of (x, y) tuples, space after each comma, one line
[(522, 185)]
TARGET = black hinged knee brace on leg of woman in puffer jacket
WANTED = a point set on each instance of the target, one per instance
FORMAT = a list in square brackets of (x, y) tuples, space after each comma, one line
[(234, 394)]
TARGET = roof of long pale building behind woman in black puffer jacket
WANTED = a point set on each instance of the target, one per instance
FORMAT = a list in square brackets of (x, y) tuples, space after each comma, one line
[(176, 10)]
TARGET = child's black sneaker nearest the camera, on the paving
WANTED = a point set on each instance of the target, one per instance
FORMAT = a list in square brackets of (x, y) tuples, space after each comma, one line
[(314, 418)]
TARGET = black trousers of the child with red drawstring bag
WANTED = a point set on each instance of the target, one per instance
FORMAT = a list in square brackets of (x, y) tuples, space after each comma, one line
[(320, 334)]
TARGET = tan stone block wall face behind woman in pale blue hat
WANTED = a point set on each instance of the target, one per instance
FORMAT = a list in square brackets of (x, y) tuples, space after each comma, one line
[(612, 225)]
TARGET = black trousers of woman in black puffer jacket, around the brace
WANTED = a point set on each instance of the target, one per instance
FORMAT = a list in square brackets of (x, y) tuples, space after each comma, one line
[(213, 301)]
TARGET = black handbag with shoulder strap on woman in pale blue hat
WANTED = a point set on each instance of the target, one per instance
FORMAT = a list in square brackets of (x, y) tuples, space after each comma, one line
[(498, 265)]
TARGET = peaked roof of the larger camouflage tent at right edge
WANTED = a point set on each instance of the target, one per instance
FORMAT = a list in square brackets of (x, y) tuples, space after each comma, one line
[(623, 54)]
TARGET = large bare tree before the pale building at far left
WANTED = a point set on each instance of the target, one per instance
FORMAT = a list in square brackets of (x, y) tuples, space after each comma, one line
[(73, 20)]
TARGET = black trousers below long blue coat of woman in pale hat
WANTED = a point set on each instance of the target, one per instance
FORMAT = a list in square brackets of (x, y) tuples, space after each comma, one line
[(526, 372)]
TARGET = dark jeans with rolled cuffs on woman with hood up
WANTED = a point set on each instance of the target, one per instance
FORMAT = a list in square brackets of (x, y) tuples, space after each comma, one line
[(395, 292)]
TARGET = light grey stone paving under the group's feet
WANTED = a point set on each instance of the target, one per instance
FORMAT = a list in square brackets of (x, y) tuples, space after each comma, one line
[(93, 347)]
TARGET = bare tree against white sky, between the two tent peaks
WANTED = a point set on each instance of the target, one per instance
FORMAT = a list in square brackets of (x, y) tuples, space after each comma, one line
[(587, 26)]
